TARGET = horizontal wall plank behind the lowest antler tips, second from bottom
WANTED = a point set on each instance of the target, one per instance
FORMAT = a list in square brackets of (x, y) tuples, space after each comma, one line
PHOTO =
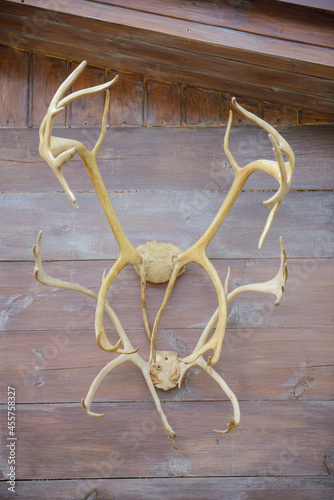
[(62, 442)]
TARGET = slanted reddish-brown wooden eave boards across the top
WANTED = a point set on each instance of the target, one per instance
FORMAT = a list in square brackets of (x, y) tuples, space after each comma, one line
[(178, 47)]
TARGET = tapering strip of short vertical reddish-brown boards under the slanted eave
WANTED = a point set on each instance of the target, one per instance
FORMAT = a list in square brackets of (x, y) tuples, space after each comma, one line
[(33, 77)]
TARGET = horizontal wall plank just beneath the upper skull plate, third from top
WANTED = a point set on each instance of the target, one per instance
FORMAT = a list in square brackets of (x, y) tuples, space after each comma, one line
[(28, 305)]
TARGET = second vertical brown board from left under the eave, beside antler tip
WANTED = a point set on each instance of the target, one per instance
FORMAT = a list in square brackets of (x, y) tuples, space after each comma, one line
[(47, 73)]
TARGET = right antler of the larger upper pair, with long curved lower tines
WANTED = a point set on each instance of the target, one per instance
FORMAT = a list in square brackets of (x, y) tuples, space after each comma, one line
[(282, 172)]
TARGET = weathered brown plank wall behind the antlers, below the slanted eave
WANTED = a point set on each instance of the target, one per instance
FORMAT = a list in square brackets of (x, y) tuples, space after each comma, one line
[(166, 172)]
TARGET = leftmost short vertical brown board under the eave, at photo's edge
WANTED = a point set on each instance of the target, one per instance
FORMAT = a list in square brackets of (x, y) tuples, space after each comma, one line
[(14, 66)]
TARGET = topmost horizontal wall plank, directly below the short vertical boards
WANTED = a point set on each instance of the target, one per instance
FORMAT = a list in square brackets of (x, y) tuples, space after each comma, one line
[(167, 159)]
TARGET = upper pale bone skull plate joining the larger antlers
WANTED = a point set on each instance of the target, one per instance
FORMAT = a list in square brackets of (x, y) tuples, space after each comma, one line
[(159, 260)]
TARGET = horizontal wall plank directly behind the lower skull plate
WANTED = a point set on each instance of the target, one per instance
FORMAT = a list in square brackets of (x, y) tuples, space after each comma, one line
[(258, 364)]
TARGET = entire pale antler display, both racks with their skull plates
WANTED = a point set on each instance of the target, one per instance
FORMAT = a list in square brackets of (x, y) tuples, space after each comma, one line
[(162, 262)]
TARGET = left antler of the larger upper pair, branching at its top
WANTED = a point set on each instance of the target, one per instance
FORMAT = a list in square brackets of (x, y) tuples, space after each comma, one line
[(57, 151)]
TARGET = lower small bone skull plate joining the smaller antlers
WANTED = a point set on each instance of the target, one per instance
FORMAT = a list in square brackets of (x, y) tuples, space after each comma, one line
[(165, 372)]
